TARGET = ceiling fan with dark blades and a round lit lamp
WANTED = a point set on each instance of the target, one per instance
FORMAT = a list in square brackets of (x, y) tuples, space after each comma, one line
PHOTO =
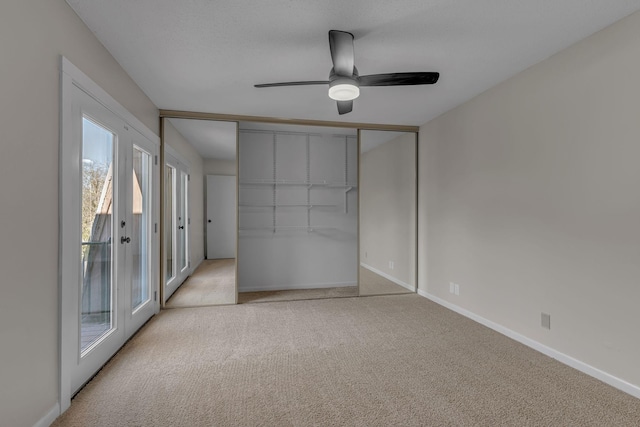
[(344, 81)]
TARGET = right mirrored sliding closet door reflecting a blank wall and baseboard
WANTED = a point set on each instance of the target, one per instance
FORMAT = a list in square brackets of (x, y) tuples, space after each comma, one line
[(388, 212)]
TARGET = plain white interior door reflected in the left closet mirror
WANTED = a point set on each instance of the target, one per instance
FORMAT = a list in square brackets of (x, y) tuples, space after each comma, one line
[(221, 217)]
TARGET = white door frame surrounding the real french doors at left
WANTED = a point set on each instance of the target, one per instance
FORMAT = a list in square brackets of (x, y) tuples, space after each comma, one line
[(71, 79)]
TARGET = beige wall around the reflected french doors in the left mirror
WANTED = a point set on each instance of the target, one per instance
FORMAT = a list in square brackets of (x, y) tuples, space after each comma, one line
[(196, 190)]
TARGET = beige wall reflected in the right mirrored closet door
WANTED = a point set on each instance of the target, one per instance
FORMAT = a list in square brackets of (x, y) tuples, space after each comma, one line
[(388, 207)]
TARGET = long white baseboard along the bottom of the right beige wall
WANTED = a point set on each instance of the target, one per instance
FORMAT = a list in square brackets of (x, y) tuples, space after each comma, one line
[(605, 377)]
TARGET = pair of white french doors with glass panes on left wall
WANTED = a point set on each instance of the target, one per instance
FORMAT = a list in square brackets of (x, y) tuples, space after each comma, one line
[(109, 243)]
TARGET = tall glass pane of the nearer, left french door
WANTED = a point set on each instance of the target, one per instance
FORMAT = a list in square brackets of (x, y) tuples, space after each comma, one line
[(97, 290)]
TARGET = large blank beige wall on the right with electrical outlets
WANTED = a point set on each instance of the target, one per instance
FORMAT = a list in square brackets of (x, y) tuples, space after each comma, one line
[(533, 203)]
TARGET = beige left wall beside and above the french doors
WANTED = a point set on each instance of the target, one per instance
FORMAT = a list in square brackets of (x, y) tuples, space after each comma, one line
[(33, 35)]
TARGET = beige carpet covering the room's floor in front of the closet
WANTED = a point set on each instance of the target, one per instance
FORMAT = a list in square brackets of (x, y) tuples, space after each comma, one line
[(397, 360)]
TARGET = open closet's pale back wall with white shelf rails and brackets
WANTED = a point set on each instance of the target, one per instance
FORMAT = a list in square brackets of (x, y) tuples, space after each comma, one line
[(297, 207)]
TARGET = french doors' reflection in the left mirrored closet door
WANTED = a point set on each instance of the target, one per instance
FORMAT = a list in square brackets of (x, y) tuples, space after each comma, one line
[(176, 222)]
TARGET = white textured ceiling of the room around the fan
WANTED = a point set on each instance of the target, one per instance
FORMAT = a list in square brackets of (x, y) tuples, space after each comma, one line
[(204, 55)]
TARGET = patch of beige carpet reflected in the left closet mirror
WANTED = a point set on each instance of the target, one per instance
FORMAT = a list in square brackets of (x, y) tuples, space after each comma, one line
[(212, 283)]
